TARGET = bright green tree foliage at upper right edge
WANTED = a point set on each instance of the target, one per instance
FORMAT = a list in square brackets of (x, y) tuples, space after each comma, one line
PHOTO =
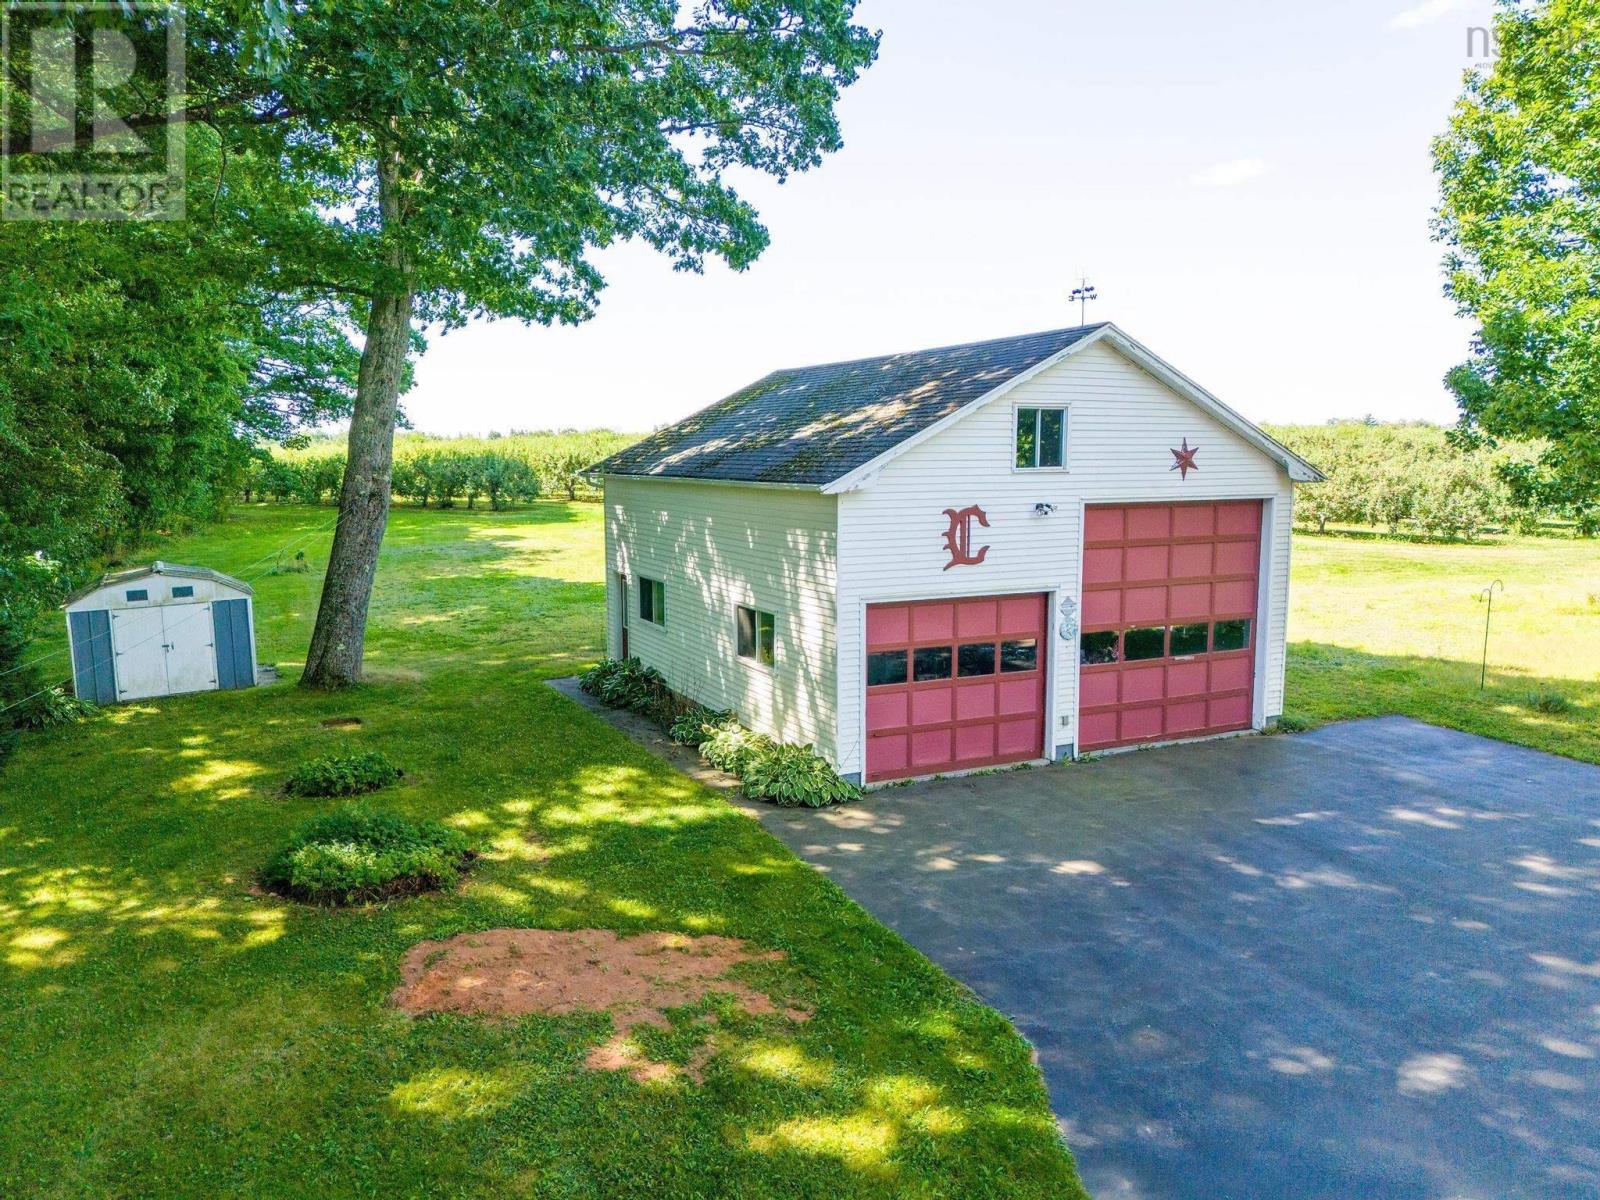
[(1521, 212)]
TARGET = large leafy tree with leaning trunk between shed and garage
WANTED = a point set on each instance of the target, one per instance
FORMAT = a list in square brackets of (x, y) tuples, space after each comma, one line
[(473, 156)]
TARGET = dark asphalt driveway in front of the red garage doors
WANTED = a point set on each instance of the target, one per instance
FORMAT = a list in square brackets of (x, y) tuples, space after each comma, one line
[(1356, 964)]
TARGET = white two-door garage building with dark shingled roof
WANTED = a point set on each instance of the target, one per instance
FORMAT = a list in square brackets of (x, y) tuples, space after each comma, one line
[(985, 554)]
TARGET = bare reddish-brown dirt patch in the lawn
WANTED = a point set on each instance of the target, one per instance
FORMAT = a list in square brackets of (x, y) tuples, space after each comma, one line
[(636, 980)]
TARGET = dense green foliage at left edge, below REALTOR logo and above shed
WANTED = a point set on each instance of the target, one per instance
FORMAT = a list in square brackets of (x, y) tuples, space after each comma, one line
[(142, 364)]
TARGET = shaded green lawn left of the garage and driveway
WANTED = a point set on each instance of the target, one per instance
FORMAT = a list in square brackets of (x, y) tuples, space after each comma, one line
[(166, 1030)]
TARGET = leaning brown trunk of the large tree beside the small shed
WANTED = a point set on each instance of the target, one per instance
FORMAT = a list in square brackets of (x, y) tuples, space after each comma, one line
[(340, 639)]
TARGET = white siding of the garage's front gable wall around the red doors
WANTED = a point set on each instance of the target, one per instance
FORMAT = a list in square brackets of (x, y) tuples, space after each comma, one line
[(1122, 430)]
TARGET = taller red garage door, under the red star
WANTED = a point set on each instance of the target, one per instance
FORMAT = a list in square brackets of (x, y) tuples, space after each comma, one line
[(1169, 622)]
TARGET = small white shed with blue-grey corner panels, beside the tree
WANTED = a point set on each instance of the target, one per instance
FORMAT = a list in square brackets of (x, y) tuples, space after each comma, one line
[(161, 631)]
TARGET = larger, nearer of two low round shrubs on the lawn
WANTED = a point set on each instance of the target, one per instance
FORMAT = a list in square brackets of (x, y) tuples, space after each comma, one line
[(362, 855)]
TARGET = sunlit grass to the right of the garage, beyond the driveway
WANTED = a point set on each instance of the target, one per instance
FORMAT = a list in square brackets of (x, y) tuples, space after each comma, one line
[(1380, 628)]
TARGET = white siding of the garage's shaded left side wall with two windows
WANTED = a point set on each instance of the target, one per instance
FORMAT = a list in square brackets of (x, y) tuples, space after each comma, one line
[(716, 550)]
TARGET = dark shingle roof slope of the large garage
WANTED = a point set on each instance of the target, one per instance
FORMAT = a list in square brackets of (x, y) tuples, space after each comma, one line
[(814, 425)]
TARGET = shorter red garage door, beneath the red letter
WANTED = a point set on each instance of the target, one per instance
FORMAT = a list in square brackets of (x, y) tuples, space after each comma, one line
[(954, 684)]
